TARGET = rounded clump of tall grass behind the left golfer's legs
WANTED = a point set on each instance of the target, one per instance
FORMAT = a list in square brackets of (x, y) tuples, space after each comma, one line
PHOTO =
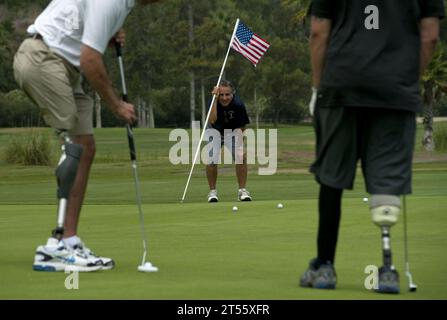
[(32, 149)]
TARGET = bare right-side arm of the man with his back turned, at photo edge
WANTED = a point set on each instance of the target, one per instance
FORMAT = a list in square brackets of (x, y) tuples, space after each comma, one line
[(429, 38)]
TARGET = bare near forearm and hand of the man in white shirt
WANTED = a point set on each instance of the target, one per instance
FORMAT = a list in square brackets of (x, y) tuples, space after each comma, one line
[(92, 66)]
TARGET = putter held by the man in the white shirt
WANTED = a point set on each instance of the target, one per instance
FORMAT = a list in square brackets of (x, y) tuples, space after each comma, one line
[(145, 266)]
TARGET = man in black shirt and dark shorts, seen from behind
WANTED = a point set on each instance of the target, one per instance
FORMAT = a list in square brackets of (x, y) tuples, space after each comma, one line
[(367, 58)]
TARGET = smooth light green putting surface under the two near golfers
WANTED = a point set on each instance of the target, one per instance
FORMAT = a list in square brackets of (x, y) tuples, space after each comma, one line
[(208, 252)]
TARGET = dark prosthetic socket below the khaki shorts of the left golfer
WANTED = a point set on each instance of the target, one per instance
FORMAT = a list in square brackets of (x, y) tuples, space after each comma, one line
[(67, 169)]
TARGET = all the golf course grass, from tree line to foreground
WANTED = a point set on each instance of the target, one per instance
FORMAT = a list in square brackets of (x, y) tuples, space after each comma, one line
[(206, 251)]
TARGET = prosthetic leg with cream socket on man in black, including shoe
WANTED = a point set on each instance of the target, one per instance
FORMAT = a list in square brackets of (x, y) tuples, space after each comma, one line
[(385, 211)]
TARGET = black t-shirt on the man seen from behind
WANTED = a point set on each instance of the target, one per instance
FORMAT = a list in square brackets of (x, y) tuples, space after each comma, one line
[(378, 65)]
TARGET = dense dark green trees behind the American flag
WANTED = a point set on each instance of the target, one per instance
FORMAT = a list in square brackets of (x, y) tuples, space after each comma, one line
[(160, 57)]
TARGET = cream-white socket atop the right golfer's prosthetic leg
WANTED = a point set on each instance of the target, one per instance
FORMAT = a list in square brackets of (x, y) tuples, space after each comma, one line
[(385, 210)]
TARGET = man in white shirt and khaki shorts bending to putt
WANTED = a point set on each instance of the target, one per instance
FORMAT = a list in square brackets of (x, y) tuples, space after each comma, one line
[(69, 38)]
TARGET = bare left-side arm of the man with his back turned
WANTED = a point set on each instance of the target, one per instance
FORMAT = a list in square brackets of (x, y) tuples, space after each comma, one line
[(319, 39)]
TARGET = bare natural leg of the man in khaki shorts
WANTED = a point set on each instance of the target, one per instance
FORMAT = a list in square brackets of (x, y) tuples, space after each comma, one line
[(80, 185)]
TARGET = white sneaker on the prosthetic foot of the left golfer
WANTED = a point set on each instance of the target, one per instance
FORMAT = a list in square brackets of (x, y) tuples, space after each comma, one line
[(55, 256)]
